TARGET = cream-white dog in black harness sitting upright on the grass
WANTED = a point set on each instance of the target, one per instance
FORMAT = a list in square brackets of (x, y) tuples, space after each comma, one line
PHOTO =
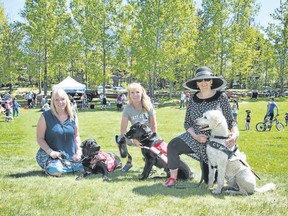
[(230, 163)]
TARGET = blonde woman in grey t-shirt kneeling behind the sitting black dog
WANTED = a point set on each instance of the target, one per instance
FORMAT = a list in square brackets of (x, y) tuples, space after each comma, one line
[(139, 108)]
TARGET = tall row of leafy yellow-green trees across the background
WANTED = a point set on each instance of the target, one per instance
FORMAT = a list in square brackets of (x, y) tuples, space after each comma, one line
[(157, 42)]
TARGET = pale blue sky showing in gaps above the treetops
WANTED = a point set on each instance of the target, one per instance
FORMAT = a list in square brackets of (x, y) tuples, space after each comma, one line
[(13, 7)]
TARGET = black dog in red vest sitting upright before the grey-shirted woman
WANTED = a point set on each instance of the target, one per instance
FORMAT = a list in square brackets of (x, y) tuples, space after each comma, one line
[(155, 152)]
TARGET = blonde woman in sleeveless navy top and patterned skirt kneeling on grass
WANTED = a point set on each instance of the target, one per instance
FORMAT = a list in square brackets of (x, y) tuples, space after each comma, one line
[(58, 137)]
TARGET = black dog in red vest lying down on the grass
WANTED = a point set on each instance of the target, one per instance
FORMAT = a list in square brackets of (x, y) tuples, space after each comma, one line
[(96, 161)]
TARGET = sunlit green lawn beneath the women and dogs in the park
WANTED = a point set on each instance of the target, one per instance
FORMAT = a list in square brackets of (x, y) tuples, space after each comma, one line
[(25, 190)]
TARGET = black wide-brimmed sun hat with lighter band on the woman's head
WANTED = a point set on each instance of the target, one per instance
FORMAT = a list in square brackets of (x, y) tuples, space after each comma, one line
[(205, 73)]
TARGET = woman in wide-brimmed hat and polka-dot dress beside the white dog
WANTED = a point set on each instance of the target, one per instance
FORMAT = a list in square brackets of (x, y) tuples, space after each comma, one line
[(193, 141)]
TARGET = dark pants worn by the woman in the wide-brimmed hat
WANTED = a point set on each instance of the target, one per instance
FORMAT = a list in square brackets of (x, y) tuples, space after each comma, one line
[(175, 148)]
